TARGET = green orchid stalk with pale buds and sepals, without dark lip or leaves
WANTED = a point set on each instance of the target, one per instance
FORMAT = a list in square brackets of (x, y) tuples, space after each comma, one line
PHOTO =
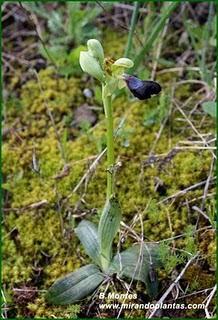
[(92, 62)]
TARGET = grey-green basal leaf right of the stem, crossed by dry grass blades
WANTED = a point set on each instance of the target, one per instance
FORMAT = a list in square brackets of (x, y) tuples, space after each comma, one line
[(138, 263)]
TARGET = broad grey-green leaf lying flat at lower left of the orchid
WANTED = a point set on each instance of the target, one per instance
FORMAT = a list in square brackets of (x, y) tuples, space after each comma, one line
[(75, 286)]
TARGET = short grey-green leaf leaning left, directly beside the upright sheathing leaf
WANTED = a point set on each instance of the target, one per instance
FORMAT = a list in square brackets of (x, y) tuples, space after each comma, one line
[(88, 235)]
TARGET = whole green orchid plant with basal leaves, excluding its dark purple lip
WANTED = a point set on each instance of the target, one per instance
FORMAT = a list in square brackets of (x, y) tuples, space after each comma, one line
[(137, 262)]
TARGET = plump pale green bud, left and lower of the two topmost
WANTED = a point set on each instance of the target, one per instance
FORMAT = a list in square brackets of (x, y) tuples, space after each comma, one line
[(90, 65)]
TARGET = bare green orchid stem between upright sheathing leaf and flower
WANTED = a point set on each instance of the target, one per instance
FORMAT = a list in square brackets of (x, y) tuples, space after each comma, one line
[(110, 143)]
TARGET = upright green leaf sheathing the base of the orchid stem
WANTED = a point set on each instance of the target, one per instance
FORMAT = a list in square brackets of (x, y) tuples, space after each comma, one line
[(107, 229)]
